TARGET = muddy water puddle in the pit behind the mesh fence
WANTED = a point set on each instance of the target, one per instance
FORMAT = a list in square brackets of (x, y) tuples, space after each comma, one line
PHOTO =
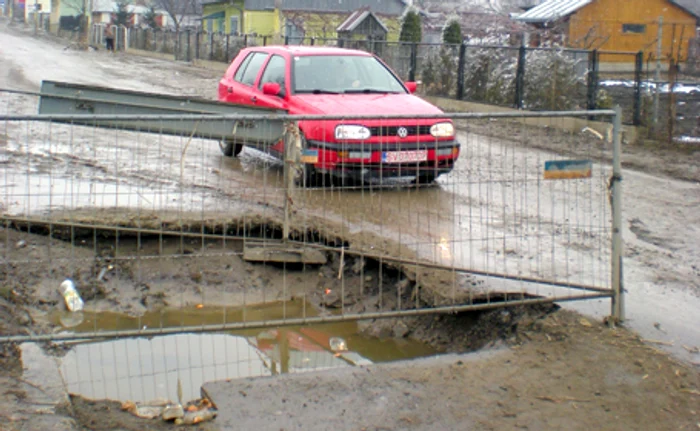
[(143, 369)]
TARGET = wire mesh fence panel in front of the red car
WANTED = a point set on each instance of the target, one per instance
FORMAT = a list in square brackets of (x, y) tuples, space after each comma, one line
[(279, 251)]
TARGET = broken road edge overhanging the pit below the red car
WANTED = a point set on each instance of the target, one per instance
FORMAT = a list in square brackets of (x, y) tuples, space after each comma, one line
[(224, 226)]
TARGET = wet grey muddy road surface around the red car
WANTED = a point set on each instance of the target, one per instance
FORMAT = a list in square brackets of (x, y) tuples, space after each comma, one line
[(476, 217)]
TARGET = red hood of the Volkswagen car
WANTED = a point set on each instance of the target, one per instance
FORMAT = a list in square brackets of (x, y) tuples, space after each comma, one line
[(364, 104)]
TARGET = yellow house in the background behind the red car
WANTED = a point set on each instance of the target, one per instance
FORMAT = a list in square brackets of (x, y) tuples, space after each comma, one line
[(295, 18)]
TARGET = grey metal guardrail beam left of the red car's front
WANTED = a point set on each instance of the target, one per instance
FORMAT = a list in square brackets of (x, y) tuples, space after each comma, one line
[(148, 112)]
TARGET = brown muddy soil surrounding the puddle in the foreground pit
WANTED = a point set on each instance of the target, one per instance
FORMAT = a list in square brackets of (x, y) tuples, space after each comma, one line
[(547, 368)]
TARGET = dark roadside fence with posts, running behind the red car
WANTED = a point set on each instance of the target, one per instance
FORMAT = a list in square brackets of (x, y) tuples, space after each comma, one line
[(508, 76)]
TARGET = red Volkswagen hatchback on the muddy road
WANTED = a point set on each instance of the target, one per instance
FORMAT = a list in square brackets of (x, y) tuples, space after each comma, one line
[(307, 80)]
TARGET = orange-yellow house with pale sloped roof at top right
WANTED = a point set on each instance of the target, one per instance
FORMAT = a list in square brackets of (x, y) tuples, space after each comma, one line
[(616, 25)]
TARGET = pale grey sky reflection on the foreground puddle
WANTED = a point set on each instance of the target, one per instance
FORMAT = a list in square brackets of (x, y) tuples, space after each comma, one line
[(146, 369)]
